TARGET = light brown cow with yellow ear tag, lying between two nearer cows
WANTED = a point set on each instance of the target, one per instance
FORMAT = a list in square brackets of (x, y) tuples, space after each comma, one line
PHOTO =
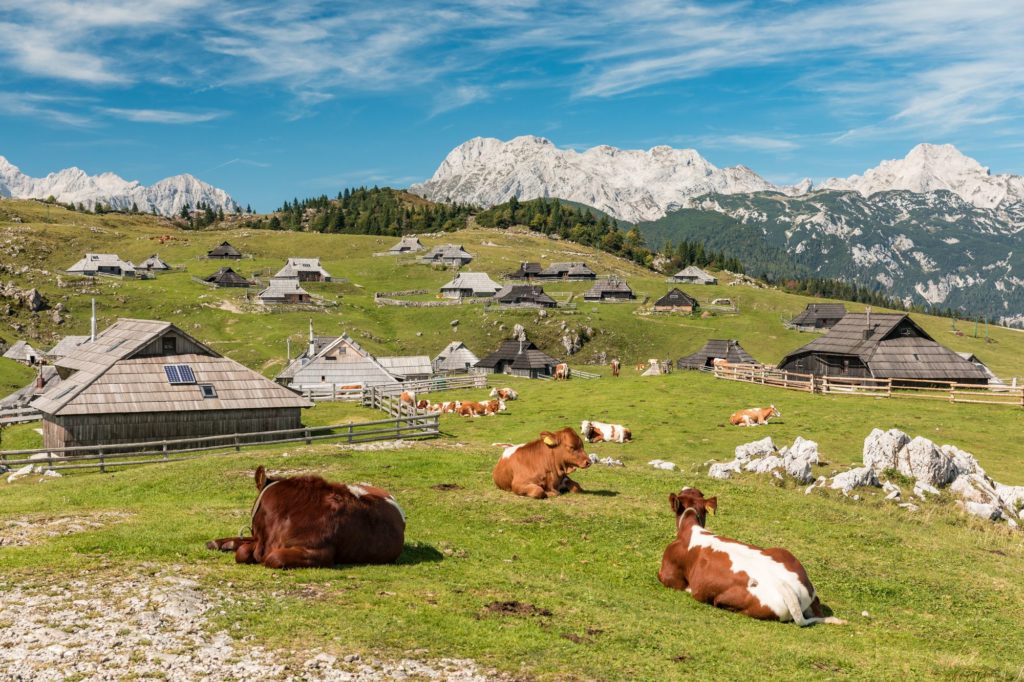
[(541, 468)]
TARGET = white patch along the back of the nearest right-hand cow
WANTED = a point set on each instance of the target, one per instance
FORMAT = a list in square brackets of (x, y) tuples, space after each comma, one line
[(769, 578)]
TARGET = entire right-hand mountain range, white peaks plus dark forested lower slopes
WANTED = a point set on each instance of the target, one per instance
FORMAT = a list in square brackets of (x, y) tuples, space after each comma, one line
[(934, 228)]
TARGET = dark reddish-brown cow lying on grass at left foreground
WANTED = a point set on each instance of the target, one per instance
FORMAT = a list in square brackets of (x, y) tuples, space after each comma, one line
[(307, 522)]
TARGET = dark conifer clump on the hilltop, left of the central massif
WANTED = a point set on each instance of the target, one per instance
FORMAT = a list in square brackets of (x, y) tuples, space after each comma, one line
[(366, 211)]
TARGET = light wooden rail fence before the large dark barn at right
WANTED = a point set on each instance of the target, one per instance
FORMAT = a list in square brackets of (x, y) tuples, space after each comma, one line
[(948, 392)]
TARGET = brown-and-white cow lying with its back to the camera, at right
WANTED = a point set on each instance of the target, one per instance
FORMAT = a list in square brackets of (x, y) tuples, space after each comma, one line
[(765, 584)]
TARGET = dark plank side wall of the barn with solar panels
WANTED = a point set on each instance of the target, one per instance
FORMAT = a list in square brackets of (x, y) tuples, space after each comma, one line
[(110, 430)]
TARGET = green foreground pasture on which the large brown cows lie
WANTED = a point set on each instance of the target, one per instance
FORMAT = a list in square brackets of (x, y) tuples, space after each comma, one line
[(944, 592)]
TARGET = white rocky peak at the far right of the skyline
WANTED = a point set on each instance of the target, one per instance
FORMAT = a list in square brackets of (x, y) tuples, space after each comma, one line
[(933, 167)]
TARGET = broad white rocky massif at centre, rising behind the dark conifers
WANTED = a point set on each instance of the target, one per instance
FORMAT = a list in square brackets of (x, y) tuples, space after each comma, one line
[(630, 185)]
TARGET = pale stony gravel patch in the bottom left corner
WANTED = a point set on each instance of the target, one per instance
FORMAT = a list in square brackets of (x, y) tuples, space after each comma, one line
[(156, 627)]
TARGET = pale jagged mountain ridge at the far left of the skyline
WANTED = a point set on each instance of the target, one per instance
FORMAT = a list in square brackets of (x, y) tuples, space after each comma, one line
[(75, 186)]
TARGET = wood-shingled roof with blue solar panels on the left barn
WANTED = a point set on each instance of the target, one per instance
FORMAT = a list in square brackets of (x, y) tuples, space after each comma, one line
[(112, 375)]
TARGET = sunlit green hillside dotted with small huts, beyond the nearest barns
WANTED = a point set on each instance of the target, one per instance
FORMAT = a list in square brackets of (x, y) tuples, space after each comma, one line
[(50, 240)]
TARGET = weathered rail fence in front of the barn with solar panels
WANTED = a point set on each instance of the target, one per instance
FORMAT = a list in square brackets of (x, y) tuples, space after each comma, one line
[(419, 425)]
